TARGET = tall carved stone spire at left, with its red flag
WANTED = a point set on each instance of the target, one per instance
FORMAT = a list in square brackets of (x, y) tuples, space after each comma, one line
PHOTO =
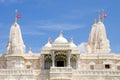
[(15, 44)]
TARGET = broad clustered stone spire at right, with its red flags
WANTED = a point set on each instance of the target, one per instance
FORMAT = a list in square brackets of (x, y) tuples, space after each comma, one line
[(98, 41)]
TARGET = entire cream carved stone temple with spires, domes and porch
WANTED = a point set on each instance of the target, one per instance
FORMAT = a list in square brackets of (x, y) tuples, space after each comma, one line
[(60, 60)]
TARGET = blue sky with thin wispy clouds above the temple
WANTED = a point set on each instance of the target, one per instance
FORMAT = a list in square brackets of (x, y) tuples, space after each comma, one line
[(41, 19)]
